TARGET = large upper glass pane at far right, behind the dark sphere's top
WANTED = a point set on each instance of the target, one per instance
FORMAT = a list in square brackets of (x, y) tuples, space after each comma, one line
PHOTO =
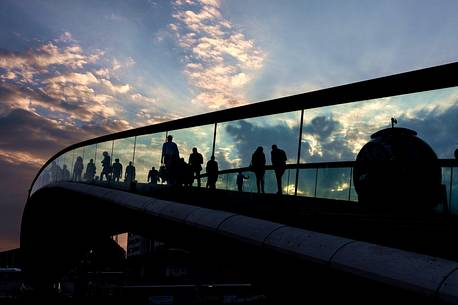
[(337, 133)]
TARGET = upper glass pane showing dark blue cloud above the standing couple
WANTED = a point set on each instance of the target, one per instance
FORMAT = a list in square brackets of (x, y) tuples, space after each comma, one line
[(237, 140)]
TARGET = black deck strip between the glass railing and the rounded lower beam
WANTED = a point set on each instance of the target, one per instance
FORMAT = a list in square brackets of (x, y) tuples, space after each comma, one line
[(427, 233)]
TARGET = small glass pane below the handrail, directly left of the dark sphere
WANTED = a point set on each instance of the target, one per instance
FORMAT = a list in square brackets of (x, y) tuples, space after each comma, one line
[(333, 183)]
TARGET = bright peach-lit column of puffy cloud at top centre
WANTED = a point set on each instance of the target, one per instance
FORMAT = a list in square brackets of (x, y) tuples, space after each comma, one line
[(220, 60)]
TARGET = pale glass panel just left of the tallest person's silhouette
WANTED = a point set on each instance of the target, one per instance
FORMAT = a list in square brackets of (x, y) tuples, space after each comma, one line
[(148, 149)]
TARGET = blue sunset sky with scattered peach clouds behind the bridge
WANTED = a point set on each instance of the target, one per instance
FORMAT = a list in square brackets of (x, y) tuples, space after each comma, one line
[(74, 70)]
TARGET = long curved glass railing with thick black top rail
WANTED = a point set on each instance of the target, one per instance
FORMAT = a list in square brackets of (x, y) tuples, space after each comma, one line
[(321, 133)]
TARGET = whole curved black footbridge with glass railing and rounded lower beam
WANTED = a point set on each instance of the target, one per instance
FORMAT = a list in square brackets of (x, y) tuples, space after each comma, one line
[(319, 230)]
